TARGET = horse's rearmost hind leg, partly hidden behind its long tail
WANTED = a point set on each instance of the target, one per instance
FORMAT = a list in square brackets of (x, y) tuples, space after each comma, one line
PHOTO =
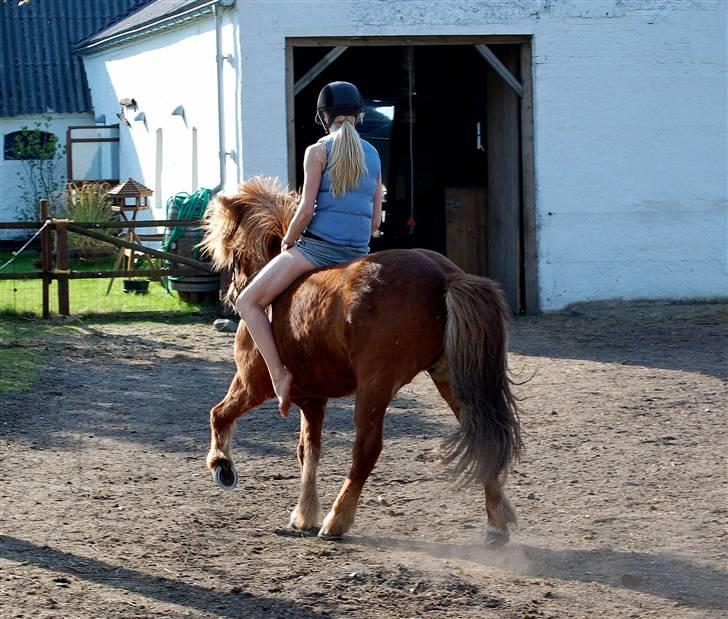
[(501, 514)]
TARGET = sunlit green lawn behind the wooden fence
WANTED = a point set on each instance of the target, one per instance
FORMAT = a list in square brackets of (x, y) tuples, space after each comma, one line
[(87, 296)]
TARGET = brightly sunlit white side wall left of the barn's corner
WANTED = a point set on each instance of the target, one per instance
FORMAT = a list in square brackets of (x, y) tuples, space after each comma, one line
[(173, 68)]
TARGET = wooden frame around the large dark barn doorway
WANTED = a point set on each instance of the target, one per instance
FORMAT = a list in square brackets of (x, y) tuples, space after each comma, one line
[(528, 241)]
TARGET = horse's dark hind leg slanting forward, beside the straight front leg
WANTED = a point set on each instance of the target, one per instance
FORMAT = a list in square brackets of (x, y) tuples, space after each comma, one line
[(369, 421)]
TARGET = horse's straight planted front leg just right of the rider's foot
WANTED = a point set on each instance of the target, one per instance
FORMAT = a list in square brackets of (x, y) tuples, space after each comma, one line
[(305, 515)]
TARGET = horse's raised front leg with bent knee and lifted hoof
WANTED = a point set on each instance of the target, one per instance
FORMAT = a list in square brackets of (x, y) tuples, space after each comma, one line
[(249, 388)]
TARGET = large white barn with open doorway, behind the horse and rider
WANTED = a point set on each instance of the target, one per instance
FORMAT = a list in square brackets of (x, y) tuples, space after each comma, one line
[(598, 172)]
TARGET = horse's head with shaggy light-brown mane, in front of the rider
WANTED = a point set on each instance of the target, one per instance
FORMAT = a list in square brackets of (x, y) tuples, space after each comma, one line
[(243, 232)]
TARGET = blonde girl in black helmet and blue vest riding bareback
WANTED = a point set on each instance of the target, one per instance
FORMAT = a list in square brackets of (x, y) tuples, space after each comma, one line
[(340, 208)]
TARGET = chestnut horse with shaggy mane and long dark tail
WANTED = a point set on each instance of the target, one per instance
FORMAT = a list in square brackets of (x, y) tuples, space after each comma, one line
[(366, 327)]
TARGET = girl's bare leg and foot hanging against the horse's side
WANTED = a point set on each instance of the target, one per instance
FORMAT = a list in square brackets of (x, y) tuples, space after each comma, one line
[(275, 277)]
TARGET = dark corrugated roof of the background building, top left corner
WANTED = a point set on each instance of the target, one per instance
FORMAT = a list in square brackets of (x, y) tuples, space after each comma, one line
[(38, 71)]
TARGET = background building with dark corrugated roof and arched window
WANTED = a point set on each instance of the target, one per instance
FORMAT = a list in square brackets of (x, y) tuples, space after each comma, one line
[(43, 87)]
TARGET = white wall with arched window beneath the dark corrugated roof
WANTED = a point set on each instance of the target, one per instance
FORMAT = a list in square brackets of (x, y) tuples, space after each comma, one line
[(11, 202)]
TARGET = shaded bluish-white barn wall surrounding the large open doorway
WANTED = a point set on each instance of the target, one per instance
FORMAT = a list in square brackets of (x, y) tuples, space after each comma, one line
[(629, 121)]
